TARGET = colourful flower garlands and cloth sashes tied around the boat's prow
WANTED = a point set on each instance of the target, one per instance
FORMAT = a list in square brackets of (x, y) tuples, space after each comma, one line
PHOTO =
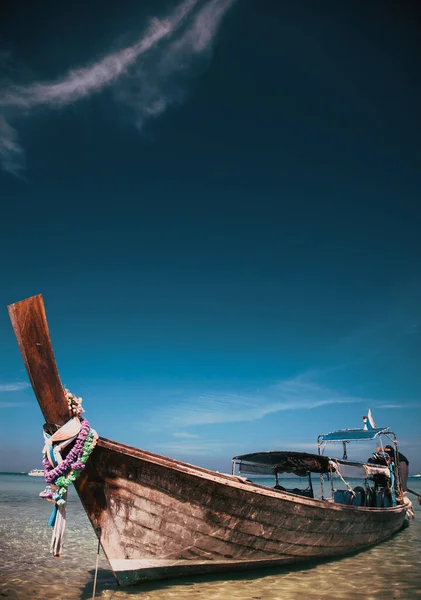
[(60, 472)]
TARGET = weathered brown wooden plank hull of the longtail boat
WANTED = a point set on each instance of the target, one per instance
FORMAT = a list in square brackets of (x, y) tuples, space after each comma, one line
[(160, 518)]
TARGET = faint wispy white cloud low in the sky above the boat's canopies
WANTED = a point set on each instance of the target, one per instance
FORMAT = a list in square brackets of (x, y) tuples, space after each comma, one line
[(299, 393)]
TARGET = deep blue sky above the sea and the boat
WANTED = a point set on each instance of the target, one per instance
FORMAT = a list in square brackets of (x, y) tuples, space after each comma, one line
[(220, 202)]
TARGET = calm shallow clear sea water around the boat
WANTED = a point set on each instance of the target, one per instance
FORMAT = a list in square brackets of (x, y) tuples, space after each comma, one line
[(391, 570)]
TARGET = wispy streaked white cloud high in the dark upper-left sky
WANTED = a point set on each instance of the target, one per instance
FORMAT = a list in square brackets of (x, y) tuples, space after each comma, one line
[(148, 76)]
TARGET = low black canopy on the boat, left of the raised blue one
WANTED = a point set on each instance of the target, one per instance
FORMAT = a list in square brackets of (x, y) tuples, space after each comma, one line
[(303, 463)]
